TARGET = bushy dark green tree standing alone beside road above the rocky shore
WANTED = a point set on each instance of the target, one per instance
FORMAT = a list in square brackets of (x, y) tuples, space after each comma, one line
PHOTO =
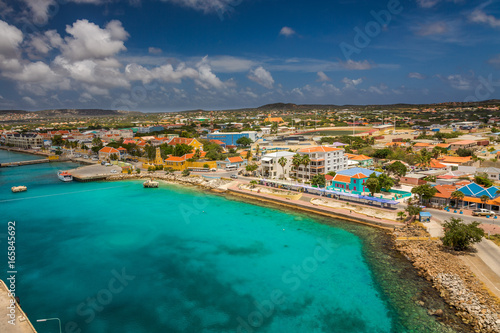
[(459, 235)]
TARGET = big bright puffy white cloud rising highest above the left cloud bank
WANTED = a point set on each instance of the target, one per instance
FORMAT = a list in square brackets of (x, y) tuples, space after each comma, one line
[(89, 41)]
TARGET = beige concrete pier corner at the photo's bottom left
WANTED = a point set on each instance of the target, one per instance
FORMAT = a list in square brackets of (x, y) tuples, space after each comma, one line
[(8, 306)]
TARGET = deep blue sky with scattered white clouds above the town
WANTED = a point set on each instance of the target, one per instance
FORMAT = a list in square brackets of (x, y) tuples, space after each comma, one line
[(166, 55)]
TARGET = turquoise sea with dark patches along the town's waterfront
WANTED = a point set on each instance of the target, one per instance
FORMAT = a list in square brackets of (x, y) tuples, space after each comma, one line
[(115, 257)]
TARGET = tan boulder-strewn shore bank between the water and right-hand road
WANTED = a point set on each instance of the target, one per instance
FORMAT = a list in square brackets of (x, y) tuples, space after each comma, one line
[(457, 285)]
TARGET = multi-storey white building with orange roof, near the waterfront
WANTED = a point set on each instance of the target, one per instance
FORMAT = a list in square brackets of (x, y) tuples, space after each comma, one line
[(323, 160)]
